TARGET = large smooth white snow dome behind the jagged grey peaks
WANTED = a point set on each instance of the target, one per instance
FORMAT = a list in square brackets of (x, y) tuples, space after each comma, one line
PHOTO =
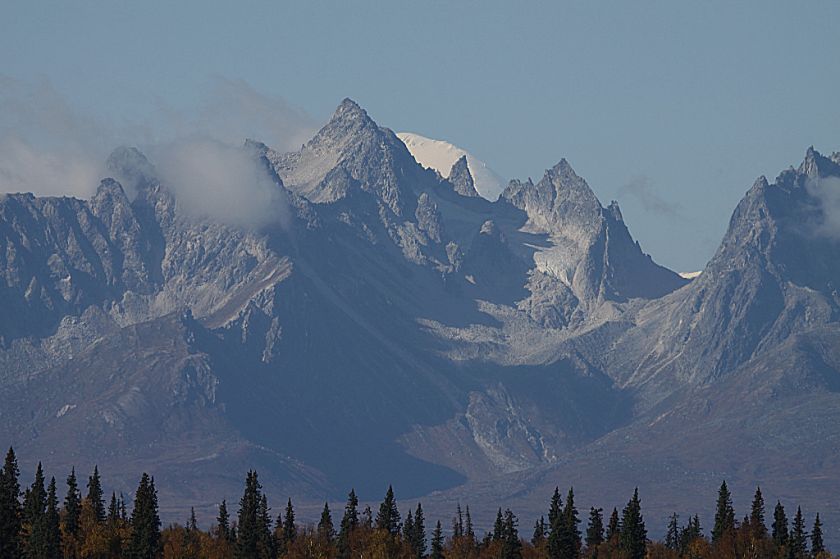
[(440, 156)]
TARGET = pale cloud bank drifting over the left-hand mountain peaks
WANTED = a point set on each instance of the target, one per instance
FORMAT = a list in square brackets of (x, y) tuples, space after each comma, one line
[(50, 148)]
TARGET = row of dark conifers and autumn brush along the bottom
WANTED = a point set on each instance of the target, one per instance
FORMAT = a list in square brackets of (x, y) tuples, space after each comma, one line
[(34, 524)]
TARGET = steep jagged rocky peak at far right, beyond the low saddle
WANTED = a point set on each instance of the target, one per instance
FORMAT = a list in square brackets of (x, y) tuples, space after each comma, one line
[(774, 273)]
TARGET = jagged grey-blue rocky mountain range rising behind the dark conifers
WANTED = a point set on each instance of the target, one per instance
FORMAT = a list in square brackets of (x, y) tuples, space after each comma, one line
[(393, 326)]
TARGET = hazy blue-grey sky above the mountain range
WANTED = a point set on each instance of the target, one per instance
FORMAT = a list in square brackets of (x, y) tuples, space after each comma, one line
[(673, 108)]
